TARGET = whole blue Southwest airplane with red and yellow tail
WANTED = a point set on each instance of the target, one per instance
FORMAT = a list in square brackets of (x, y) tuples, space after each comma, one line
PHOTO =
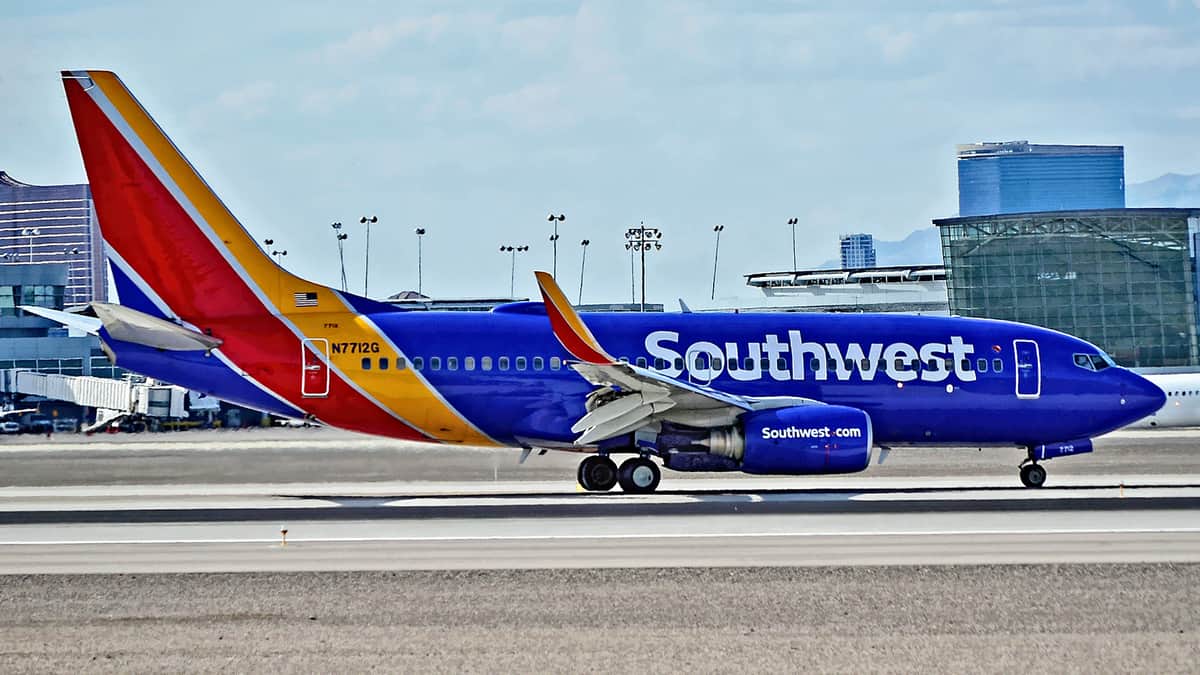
[(203, 307)]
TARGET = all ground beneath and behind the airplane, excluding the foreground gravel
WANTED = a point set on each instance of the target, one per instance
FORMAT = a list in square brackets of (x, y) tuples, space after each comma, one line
[(110, 505)]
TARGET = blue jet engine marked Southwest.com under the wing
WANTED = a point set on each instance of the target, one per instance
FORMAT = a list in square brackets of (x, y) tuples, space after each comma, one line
[(799, 440)]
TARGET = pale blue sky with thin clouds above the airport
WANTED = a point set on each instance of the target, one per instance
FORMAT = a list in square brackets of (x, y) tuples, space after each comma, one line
[(476, 121)]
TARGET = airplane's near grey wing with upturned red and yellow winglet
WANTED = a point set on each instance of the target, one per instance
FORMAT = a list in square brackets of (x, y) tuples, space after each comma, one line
[(628, 397)]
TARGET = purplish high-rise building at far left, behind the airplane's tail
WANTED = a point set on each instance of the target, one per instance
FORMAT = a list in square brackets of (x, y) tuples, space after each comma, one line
[(55, 224)]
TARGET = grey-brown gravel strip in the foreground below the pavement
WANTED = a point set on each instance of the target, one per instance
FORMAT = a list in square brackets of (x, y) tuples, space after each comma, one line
[(994, 619)]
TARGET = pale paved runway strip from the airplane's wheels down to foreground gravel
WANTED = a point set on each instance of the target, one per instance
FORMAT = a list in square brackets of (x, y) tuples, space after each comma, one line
[(716, 523)]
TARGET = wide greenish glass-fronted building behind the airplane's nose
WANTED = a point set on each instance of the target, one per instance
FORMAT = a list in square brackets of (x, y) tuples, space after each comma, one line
[(1123, 279)]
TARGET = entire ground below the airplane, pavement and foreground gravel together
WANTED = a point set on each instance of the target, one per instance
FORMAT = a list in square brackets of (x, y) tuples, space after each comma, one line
[(167, 553)]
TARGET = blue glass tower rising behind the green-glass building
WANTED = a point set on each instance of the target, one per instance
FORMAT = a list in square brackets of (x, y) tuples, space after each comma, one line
[(1019, 177)]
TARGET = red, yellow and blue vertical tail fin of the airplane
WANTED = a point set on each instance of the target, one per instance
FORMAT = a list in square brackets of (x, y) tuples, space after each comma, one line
[(172, 242)]
